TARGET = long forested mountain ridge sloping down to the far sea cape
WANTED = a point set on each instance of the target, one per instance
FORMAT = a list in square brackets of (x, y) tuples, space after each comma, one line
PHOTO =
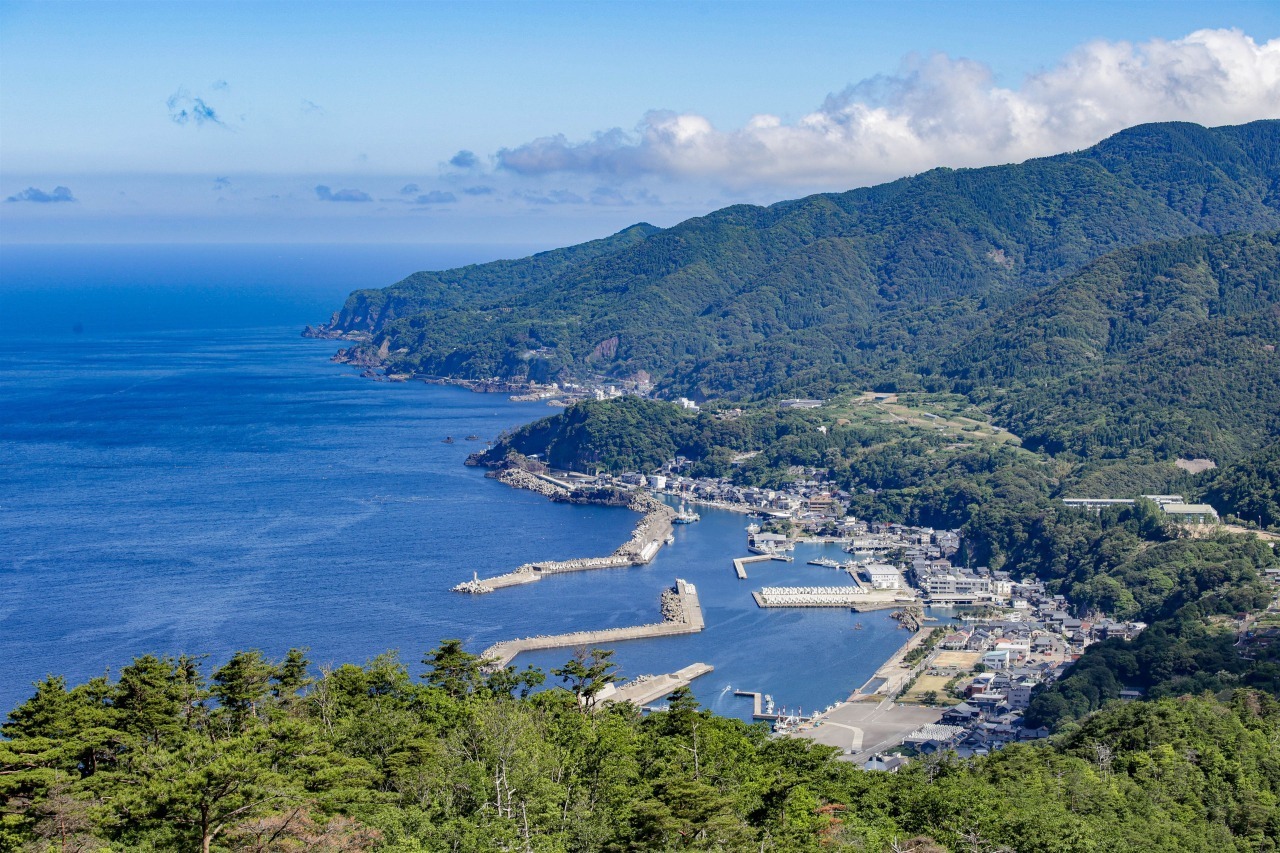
[(807, 295)]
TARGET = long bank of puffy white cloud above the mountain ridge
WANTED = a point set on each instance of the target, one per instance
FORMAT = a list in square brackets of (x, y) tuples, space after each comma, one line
[(939, 111)]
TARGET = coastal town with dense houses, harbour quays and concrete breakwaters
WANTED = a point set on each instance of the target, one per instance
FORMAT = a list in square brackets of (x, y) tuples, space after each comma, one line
[(982, 642)]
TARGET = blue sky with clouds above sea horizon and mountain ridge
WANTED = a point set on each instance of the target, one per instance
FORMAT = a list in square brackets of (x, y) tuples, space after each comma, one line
[(551, 122)]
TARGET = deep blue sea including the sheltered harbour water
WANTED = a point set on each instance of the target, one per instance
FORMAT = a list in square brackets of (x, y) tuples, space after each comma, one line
[(182, 473)]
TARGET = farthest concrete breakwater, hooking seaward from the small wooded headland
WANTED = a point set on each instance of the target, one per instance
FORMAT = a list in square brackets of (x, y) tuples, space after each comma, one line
[(650, 535)]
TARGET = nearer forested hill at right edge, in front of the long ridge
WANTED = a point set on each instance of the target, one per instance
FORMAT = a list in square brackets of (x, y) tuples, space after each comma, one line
[(1168, 349)]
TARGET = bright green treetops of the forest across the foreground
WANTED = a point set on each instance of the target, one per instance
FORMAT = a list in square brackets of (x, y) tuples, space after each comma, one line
[(268, 756)]
